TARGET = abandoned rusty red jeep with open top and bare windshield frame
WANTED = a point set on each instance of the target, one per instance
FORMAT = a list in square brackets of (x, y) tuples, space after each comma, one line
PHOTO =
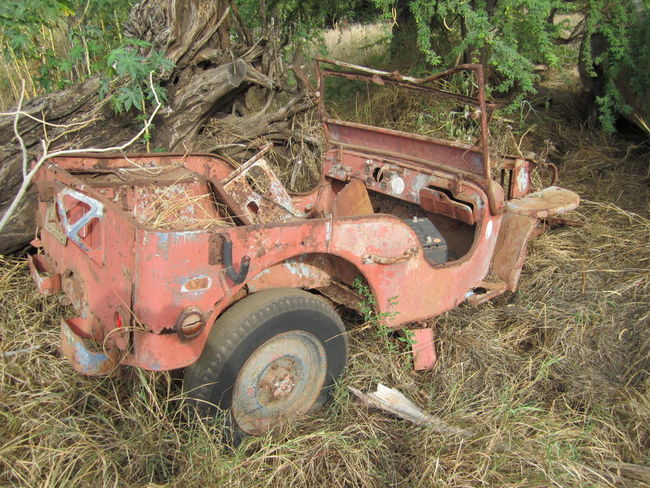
[(184, 261)]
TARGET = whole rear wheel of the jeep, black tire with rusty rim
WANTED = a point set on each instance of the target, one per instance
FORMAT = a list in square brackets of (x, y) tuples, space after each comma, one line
[(246, 362)]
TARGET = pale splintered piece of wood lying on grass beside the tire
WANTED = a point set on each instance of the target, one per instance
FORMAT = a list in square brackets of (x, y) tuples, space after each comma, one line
[(395, 403)]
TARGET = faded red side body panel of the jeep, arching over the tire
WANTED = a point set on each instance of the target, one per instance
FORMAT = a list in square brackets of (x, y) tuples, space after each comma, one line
[(413, 281)]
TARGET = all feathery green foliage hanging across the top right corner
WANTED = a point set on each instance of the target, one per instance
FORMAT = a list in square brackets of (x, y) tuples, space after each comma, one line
[(510, 37)]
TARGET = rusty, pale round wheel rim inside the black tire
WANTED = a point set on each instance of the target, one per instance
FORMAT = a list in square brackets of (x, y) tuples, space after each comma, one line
[(281, 379)]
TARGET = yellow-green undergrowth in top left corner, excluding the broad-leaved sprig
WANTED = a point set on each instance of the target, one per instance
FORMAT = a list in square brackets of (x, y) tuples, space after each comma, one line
[(56, 43)]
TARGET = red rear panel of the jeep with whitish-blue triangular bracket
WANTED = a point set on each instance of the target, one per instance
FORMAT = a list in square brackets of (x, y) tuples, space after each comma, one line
[(98, 278)]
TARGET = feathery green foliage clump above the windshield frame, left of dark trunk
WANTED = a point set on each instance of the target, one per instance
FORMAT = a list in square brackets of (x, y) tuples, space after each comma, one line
[(508, 36)]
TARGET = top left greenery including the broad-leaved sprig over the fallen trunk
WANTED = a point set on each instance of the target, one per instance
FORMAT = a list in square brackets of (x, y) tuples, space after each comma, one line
[(65, 41)]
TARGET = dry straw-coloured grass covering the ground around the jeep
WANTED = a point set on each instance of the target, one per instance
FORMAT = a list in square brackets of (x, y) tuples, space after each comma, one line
[(554, 378)]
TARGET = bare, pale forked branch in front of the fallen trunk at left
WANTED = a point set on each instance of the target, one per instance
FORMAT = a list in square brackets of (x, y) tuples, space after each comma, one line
[(29, 176)]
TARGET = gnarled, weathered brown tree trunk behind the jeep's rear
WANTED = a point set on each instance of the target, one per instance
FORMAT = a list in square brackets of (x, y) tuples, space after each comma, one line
[(212, 75)]
